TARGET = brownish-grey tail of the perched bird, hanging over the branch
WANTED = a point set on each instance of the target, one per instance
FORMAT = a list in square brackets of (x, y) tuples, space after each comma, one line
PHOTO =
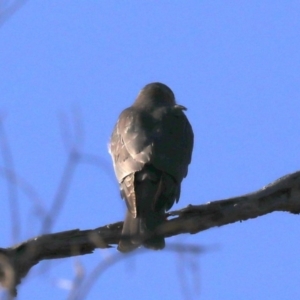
[(136, 230)]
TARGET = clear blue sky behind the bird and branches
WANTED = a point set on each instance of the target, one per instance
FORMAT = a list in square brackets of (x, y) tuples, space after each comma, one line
[(234, 64)]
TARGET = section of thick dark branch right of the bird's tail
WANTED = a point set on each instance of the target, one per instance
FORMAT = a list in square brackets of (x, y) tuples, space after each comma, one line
[(281, 195)]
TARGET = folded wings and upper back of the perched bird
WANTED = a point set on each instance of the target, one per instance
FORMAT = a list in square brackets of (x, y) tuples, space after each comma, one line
[(162, 138)]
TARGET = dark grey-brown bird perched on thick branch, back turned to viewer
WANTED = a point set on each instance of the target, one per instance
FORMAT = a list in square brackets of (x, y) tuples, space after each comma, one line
[(151, 147)]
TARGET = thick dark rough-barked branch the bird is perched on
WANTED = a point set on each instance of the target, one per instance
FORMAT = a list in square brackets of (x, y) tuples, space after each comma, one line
[(281, 195)]
